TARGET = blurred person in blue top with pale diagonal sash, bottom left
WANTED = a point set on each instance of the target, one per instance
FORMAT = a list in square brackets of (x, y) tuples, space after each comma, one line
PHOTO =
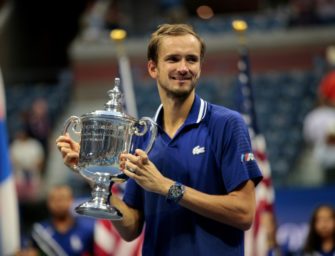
[(62, 234)]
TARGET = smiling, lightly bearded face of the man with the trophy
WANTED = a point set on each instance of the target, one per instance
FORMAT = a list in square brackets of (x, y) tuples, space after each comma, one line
[(178, 66)]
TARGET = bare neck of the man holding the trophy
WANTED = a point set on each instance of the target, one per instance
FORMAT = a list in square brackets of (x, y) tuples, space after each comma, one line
[(175, 113)]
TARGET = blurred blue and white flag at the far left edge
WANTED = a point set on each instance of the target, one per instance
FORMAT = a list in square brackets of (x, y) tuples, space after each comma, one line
[(9, 228)]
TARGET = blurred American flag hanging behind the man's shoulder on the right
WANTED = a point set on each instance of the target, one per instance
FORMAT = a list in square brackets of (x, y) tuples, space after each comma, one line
[(256, 240)]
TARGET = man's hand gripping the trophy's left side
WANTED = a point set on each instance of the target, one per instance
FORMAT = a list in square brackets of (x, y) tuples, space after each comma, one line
[(69, 150)]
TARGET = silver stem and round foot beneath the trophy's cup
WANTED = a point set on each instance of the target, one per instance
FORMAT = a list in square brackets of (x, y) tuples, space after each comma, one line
[(98, 206)]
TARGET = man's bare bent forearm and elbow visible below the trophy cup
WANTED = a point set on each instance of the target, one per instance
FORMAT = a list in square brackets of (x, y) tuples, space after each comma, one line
[(130, 227)]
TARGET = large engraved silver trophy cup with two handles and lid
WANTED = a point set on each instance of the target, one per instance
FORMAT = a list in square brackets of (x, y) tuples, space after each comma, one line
[(104, 135)]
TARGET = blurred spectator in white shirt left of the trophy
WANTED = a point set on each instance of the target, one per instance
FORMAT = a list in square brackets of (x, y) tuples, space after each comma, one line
[(27, 158)]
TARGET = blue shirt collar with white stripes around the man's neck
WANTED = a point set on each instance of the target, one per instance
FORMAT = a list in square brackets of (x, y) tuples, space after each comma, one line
[(196, 115)]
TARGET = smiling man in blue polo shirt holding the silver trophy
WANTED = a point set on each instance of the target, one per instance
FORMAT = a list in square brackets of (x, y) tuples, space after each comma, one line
[(194, 191)]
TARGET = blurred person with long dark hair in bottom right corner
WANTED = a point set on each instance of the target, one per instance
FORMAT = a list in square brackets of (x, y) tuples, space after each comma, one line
[(321, 236)]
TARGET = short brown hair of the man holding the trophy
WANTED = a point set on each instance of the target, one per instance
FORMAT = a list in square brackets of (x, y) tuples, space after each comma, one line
[(171, 30)]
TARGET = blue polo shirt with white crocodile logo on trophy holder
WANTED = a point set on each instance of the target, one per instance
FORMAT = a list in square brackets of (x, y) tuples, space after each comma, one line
[(211, 153)]
